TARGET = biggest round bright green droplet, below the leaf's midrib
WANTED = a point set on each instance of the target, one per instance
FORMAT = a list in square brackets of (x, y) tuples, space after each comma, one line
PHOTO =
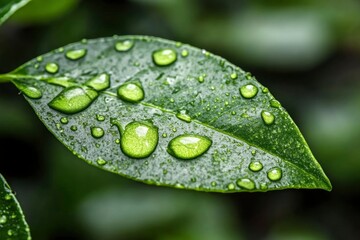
[(139, 139)]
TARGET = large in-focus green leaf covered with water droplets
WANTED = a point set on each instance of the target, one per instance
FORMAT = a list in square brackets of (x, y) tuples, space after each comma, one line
[(169, 114)]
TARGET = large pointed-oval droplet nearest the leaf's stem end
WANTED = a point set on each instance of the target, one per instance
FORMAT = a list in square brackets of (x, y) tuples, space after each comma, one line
[(73, 99)]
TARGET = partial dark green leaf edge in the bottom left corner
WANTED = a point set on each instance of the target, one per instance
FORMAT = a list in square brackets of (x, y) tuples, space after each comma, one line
[(12, 220)]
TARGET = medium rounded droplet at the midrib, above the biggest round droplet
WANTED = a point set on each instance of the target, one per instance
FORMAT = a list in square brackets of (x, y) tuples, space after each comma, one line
[(131, 92)]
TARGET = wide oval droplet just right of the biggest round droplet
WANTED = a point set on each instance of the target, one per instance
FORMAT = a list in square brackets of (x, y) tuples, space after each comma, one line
[(188, 146)]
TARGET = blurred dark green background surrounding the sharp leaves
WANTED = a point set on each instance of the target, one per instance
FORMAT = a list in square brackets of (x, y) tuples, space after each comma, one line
[(307, 52)]
